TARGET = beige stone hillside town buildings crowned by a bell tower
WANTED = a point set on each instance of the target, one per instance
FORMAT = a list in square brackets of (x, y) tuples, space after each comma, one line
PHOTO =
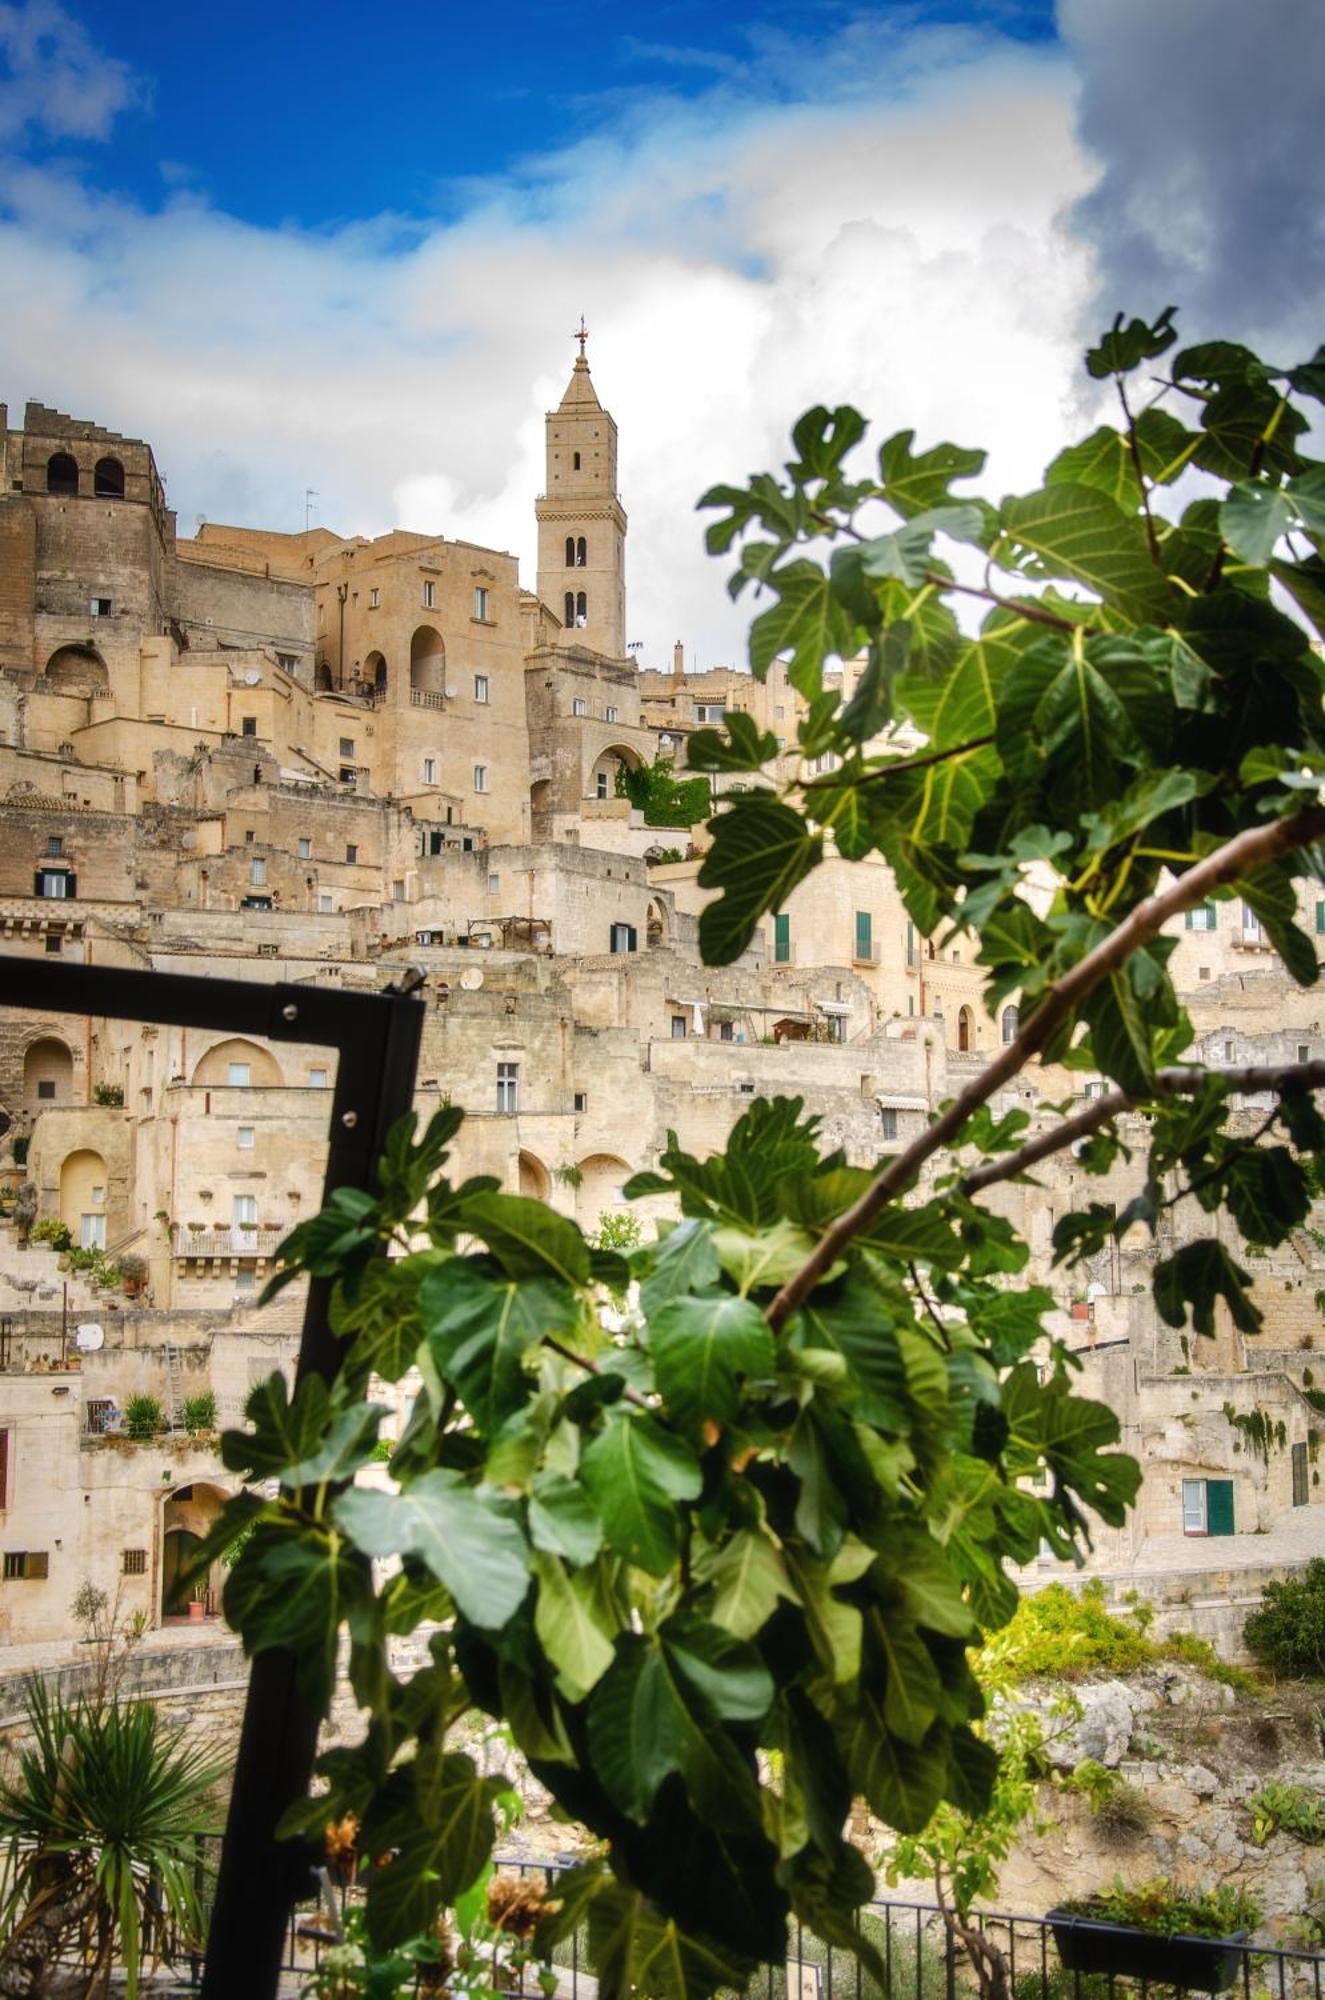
[(335, 759)]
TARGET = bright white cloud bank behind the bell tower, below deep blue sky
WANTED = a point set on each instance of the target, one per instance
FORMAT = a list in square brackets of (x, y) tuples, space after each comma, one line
[(894, 241)]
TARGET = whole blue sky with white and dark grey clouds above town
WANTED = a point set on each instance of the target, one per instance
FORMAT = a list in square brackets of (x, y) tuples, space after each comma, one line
[(343, 249)]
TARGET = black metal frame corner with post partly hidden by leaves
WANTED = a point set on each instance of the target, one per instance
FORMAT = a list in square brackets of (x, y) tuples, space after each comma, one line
[(377, 1045)]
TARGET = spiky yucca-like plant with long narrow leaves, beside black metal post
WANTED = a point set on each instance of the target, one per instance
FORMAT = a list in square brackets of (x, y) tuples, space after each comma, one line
[(99, 1831)]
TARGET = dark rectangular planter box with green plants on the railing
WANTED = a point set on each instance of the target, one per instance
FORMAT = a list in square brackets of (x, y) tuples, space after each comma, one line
[(1158, 1933)]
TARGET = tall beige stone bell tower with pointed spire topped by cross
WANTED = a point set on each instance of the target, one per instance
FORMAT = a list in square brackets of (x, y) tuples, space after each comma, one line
[(581, 521)]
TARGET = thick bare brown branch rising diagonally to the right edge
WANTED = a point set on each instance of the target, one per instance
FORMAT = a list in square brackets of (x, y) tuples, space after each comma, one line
[(1236, 859)]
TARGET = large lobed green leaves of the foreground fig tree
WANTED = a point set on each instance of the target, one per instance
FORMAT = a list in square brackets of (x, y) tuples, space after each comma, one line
[(720, 1559)]
